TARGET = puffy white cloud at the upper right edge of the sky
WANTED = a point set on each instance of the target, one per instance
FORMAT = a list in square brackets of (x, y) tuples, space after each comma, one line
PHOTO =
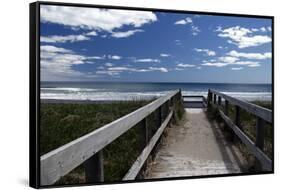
[(243, 37)]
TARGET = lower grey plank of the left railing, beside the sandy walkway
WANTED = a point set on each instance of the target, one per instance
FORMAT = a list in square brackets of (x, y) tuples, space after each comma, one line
[(136, 167)]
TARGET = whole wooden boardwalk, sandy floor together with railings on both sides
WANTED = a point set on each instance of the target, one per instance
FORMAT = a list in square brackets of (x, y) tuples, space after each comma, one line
[(195, 147)]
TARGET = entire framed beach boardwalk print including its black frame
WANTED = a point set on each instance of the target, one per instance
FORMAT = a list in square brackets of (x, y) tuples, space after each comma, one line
[(120, 94)]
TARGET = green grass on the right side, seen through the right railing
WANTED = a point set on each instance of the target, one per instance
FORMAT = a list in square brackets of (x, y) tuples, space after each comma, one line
[(248, 126)]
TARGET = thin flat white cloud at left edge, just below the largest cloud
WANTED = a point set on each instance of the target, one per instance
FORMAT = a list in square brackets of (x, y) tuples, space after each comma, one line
[(63, 39)]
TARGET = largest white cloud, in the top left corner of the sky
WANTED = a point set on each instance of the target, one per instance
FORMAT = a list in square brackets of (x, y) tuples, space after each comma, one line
[(95, 18)]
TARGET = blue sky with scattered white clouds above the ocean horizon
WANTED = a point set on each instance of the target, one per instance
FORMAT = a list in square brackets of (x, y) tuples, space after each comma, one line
[(89, 44)]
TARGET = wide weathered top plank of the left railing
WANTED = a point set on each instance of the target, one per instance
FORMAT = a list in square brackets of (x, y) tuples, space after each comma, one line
[(62, 160)]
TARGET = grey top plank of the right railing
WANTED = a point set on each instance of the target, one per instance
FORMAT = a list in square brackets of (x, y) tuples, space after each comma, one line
[(262, 112)]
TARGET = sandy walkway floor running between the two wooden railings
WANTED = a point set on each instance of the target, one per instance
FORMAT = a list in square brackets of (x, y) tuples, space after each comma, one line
[(193, 148)]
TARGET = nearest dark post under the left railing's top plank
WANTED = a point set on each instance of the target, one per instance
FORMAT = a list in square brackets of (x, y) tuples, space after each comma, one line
[(94, 168)]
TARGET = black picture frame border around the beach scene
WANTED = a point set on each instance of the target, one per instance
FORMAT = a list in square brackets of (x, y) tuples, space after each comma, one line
[(34, 91)]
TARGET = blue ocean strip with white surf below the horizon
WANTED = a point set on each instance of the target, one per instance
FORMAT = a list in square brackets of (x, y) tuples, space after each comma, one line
[(134, 91)]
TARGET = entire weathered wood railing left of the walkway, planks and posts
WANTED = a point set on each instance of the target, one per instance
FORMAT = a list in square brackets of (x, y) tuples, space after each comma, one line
[(87, 150)]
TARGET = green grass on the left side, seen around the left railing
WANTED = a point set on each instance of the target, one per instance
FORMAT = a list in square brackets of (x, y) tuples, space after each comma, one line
[(62, 123)]
